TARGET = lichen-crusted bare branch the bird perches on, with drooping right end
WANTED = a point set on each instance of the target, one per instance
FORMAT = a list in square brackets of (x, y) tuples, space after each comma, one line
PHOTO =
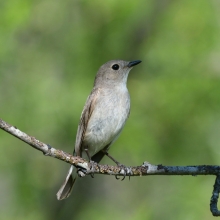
[(91, 168)]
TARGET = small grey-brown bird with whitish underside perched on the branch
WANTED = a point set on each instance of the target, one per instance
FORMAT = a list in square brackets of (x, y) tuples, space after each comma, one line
[(103, 117)]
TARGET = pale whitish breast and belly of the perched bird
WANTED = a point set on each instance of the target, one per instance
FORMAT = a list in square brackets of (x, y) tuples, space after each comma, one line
[(107, 119)]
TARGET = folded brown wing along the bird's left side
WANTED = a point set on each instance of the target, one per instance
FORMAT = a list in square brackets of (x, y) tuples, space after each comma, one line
[(85, 116)]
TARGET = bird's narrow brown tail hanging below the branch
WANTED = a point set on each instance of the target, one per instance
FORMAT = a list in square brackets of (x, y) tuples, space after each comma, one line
[(66, 188)]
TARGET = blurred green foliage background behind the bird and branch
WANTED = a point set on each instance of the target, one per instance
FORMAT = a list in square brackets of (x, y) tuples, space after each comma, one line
[(49, 54)]
